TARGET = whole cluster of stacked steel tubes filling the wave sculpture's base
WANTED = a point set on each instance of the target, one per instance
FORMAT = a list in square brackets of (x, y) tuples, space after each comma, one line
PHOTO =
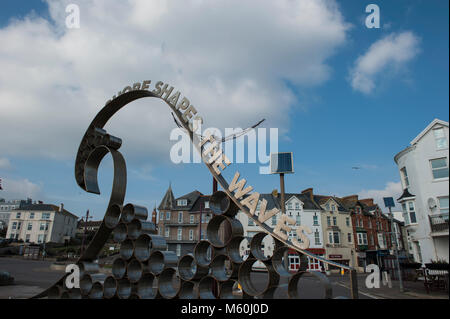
[(145, 269)]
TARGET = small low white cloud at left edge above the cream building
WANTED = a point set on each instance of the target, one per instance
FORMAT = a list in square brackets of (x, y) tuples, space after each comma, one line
[(20, 189)]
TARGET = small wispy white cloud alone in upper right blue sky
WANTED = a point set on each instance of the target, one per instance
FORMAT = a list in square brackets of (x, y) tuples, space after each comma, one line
[(387, 55)]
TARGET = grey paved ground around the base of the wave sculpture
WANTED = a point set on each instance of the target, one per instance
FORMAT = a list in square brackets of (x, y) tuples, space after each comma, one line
[(33, 276)]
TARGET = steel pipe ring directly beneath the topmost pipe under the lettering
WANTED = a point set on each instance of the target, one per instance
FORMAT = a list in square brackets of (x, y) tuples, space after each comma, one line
[(213, 228)]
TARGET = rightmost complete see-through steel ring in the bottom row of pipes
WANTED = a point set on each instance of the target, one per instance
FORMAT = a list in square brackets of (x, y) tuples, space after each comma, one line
[(272, 278)]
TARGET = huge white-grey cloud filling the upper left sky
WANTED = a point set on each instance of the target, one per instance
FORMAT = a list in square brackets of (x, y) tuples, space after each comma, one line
[(231, 58)]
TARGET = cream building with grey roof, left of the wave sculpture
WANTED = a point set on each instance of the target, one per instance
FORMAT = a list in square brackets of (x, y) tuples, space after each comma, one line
[(39, 223)]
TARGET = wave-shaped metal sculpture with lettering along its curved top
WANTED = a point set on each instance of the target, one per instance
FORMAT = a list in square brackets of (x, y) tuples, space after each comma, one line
[(144, 268)]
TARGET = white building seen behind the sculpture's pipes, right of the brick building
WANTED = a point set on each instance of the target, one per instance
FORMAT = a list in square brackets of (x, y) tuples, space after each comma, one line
[(300, 208)]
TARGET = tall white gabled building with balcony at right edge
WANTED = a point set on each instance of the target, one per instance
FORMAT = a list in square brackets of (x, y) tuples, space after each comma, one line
[(424, 175)]
